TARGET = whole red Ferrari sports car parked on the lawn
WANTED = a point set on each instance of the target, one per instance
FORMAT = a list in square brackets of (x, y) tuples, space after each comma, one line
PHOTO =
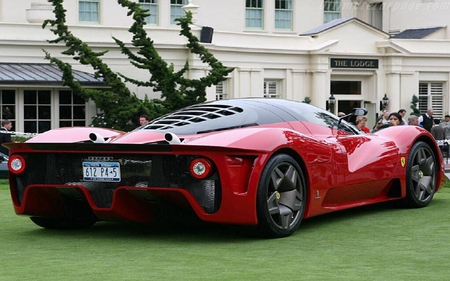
[(267, 163)]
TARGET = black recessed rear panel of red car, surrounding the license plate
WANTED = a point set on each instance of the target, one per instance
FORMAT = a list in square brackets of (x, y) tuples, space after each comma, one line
[(136, 170)]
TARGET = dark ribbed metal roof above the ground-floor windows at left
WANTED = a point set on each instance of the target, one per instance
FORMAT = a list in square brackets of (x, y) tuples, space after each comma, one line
[(41, 73)]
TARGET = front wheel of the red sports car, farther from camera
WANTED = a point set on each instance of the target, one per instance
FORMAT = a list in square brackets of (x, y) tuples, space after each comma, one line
[(421, 178)]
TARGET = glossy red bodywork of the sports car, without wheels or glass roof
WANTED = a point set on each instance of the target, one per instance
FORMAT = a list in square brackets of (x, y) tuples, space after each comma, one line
[(342, 170)]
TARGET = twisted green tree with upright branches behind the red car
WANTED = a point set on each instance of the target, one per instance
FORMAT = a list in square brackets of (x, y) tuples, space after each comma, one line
[(119, 106)]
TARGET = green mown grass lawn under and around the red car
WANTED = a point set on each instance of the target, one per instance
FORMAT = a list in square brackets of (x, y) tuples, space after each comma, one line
[(371, 243)]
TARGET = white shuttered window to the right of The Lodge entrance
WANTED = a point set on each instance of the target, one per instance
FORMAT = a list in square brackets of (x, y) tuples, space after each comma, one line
[(431, 95)]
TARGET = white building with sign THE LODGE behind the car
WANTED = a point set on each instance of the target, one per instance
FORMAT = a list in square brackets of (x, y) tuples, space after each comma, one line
[(359, 51)]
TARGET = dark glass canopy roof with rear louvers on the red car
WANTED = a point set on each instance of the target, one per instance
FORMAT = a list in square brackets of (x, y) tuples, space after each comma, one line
[(229, 114)]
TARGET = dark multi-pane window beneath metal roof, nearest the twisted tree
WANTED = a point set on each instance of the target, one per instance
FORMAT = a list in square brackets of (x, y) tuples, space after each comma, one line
[(72, 109)]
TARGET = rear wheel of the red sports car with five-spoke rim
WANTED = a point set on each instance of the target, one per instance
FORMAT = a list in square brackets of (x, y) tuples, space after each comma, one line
[(281, 198)]
